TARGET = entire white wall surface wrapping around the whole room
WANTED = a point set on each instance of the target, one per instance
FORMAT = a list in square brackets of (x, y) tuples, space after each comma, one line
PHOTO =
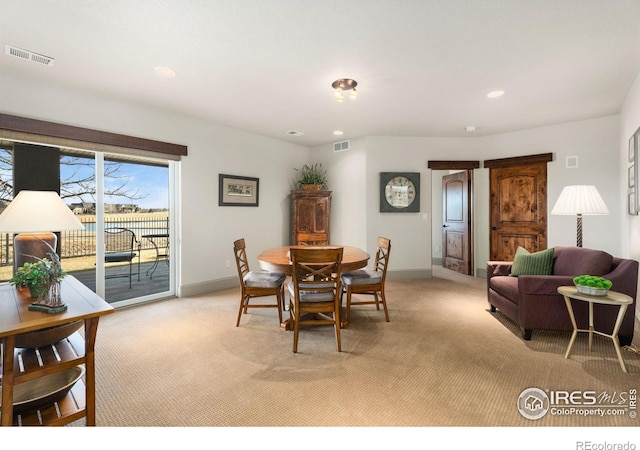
[(207, 230)]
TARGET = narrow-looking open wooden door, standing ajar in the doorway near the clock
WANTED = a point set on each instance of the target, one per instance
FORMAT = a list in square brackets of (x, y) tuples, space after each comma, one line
[(456, 222)]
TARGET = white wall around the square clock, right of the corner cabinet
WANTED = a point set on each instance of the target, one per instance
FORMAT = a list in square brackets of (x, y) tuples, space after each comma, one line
[(410, 233)]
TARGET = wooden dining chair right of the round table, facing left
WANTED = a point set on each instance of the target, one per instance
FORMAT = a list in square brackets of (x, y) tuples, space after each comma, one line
[(368, 282)]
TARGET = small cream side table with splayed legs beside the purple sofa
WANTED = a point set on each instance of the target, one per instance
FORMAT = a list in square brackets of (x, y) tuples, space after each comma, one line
[(612, 298)]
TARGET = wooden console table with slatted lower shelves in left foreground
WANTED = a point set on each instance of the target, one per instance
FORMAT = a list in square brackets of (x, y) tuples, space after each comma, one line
[(25, 364)]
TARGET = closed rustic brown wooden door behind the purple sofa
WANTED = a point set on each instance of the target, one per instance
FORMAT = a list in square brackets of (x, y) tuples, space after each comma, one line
[(518, 202)]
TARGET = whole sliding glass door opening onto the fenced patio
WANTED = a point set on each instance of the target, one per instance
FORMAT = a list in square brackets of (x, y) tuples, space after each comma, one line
[(125, 251)]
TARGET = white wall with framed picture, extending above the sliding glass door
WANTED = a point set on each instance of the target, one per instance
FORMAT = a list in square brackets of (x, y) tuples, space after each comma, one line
[(207, 230)]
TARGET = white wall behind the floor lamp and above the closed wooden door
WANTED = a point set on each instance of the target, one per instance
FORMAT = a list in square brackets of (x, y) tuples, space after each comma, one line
[(595, 143)]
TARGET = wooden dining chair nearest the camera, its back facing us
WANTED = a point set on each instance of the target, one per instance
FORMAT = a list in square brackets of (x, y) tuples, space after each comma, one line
[(315, 289)]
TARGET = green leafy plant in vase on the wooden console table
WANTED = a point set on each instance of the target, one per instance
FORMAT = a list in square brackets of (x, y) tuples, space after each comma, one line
[(42, 278)]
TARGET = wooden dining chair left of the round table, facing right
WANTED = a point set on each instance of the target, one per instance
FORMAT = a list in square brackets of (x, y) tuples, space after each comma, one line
[(257, 284)]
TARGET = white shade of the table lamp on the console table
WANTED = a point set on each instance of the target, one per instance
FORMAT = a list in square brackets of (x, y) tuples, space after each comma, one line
[(38, 211)]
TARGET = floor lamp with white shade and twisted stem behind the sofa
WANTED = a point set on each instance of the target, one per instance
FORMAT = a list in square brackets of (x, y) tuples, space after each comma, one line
[(579, 201)]
